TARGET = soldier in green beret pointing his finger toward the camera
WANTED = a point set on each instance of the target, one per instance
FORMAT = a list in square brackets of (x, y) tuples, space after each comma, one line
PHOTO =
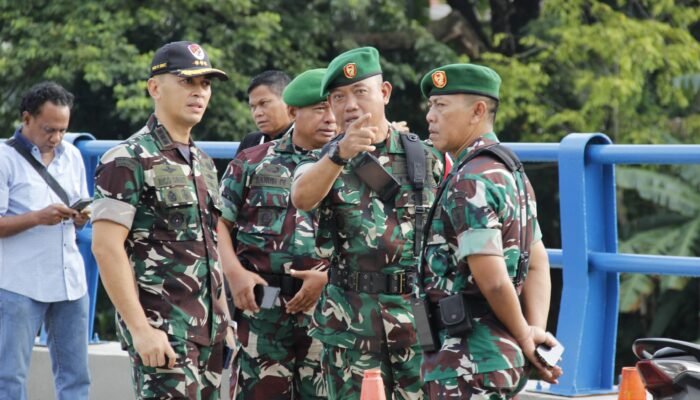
[(364, 318)]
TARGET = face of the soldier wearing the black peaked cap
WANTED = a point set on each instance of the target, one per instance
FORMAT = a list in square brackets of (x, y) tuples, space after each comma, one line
[(182, 100)]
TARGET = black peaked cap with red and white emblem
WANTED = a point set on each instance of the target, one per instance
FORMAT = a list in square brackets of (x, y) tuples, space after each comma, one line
[(184, 59)]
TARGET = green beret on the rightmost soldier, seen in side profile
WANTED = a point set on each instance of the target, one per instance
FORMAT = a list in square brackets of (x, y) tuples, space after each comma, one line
[(461, 78)]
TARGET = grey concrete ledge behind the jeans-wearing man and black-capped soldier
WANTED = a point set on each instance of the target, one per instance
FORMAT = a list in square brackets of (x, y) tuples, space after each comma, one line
[(110, 374)]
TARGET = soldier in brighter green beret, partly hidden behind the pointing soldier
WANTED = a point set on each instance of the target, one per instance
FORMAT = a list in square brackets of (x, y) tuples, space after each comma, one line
[(275, 246)]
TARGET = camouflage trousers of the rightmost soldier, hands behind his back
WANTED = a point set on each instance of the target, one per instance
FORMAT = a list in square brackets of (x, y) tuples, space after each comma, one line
[(496, 385)]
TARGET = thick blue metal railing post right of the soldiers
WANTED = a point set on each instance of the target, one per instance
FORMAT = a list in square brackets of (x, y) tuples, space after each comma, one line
[(588, 314)]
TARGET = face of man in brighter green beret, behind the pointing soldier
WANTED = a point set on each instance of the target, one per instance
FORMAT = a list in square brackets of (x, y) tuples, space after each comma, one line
[(314, 125)]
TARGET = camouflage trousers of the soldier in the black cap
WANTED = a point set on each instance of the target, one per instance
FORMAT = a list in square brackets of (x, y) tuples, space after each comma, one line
[(196, 375)]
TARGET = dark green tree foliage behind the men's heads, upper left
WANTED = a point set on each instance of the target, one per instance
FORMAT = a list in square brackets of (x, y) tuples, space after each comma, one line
[(102, 50)]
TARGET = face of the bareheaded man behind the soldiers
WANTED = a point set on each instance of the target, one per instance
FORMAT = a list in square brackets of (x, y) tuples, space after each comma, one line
[(268, 110)]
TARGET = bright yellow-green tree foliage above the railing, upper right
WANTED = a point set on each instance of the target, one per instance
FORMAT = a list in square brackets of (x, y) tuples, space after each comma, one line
[(594, 66)]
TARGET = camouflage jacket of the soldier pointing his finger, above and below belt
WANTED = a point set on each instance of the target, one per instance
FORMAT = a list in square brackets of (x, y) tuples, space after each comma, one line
[(372, 236)]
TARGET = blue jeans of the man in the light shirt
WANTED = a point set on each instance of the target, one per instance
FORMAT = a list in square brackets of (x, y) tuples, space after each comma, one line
[(67, 331)]
